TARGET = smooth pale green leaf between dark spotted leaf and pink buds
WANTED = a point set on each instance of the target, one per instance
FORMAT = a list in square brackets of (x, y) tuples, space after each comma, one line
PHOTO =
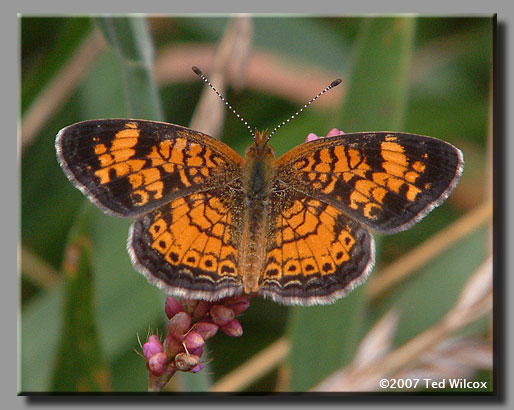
[(127, 303)]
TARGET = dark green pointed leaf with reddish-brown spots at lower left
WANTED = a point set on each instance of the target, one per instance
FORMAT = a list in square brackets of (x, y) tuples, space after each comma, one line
[(79, 364)]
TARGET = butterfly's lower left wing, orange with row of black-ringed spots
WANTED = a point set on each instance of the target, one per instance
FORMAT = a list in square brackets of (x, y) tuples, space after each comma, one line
[(189, 246)]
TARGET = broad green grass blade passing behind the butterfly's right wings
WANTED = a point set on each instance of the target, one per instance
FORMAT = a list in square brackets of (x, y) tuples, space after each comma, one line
[(326, 337)]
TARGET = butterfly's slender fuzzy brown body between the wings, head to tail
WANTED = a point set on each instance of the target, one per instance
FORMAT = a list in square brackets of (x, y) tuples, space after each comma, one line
[(258, 176)]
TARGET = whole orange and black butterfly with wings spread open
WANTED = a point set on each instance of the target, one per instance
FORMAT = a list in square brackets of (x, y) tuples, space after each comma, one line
[(211, 224)]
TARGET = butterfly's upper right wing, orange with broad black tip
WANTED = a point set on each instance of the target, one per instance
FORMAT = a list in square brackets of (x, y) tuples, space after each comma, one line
[(388, 181)]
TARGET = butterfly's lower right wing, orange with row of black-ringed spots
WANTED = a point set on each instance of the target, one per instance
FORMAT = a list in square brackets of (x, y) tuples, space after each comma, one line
[(317, 253)]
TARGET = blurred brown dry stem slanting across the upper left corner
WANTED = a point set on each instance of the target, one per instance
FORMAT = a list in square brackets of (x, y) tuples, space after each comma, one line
[(60, 87)]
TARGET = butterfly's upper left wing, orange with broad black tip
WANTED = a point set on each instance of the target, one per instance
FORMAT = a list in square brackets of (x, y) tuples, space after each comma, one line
[(130, 167)]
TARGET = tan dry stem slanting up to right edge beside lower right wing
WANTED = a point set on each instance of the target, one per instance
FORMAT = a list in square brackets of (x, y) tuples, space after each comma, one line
[(406, 265)]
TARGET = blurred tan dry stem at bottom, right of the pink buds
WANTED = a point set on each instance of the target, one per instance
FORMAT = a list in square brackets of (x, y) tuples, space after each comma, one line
[(257, 366)]
